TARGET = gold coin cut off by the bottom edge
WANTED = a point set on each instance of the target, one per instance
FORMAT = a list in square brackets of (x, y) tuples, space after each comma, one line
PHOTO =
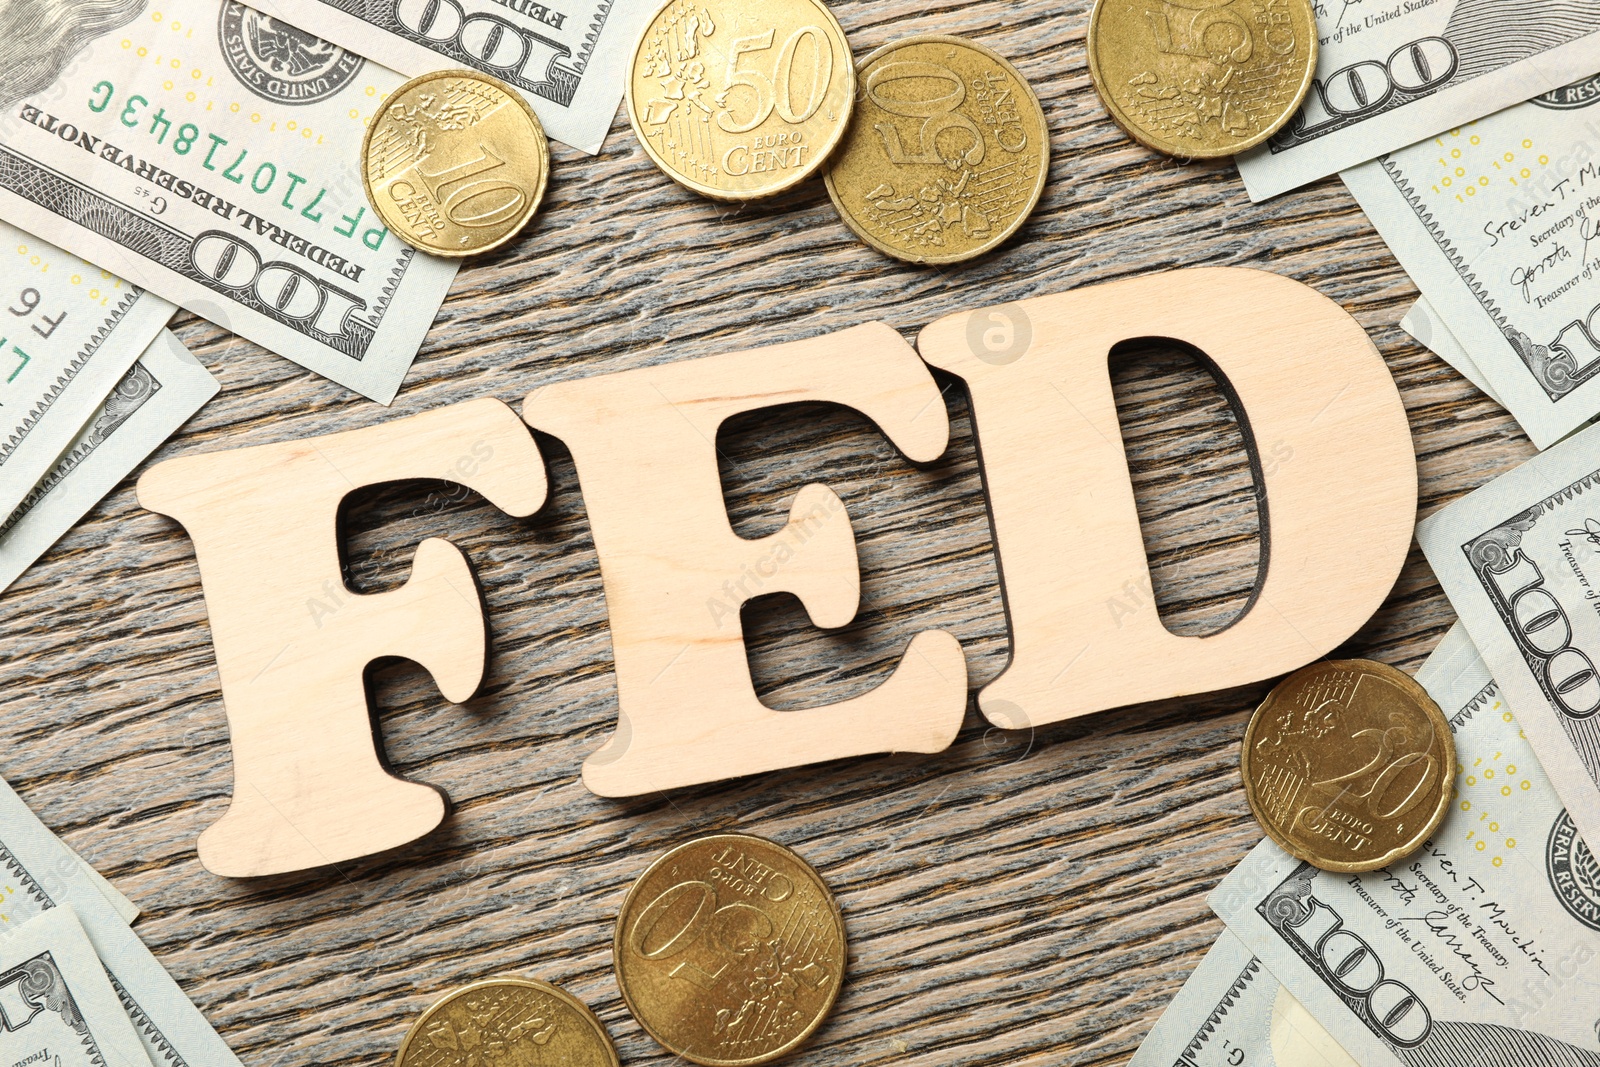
[(508, 1023)]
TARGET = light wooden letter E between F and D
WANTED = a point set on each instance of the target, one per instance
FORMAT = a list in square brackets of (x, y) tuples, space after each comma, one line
[(676, 573)]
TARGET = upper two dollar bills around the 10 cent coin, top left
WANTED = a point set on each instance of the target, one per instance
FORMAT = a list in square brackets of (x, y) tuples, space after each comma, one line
[(206, 151)]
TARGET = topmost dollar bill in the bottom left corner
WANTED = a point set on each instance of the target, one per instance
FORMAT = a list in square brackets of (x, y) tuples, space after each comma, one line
[(57, 1005)]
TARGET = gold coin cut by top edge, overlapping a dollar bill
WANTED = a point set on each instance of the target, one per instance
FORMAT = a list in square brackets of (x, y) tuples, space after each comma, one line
[(1202, 79)]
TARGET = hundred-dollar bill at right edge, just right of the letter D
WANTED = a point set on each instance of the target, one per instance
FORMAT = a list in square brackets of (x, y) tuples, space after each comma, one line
[(1521, 564)]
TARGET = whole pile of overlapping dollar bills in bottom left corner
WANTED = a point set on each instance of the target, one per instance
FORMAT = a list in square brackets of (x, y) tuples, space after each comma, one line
[(78, 986)]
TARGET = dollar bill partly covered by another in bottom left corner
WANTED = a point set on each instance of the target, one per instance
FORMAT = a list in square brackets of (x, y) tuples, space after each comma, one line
[(38, 874)]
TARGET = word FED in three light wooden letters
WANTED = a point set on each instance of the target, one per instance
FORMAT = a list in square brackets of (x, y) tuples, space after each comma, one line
[(310, 783)]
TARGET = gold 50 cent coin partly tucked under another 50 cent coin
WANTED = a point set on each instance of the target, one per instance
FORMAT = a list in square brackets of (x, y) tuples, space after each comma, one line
[(948, 153)]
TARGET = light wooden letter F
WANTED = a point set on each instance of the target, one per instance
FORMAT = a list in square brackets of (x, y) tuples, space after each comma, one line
[(294, 642)]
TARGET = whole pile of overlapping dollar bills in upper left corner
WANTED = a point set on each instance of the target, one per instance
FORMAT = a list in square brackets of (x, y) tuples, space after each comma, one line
[(201, 156)]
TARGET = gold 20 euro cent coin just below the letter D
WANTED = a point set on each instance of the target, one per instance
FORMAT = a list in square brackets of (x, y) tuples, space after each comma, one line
[(1348, 765)]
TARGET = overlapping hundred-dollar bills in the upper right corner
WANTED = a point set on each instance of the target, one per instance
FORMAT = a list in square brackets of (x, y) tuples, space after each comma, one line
[(1470, 132)]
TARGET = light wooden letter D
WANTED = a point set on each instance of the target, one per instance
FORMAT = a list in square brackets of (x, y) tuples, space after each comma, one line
[(1332, 458)]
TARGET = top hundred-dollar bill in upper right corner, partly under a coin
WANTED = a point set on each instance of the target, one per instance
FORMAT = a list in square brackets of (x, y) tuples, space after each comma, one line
[(1391, 74)]
